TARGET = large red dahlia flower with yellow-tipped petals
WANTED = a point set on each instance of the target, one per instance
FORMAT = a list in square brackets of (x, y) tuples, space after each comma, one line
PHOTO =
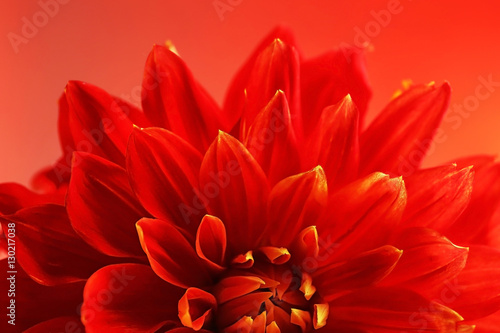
[(277, 213)]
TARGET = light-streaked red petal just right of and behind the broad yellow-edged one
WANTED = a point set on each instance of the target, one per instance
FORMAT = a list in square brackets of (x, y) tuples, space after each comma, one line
[(437, 196)]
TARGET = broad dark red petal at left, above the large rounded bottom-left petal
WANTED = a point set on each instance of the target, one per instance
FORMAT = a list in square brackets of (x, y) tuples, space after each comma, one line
[(102, 207)]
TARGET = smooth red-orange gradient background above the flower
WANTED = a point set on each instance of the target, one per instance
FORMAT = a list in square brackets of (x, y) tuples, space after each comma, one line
[(106, 43)]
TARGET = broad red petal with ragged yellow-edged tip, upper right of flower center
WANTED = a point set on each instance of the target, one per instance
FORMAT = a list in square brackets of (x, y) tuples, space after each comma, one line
[(362, 215)]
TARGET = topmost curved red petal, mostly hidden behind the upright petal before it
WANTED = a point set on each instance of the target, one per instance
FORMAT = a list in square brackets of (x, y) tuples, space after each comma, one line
[(235, 97)]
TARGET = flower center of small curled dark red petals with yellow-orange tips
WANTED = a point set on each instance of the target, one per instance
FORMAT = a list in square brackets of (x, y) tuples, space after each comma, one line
[(262, 291)]
